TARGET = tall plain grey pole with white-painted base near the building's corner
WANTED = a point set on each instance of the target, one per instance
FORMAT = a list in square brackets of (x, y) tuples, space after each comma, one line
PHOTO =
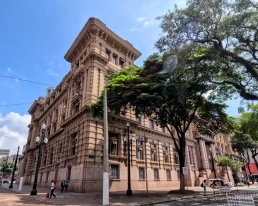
[(105, 200)]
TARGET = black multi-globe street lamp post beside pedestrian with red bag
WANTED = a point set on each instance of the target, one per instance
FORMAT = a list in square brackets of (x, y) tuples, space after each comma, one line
[(39, 142)]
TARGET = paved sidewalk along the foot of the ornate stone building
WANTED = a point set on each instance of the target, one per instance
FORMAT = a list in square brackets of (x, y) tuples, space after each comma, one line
[(116, 198)]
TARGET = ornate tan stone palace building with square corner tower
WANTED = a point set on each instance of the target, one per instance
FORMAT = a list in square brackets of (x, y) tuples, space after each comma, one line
[(75, 139)]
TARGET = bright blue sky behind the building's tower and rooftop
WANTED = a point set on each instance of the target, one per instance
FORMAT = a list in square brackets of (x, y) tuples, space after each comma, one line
[(35, 35)]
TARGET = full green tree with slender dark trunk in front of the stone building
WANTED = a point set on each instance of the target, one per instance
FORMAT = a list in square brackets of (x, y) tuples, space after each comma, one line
[(173, 101)]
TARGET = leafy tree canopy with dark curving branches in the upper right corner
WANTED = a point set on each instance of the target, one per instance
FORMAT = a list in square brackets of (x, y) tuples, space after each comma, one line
[(225, 34)]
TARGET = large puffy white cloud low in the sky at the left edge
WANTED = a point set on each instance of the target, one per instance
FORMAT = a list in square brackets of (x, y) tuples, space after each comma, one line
[(13, 131)]
